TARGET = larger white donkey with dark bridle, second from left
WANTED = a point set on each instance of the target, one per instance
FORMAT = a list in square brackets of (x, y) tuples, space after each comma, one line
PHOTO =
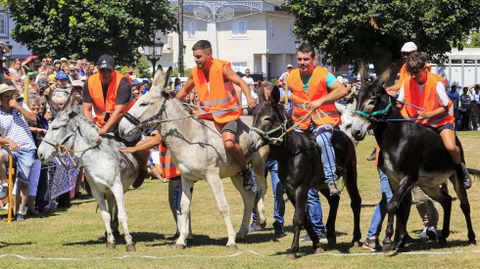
[(197, 150)]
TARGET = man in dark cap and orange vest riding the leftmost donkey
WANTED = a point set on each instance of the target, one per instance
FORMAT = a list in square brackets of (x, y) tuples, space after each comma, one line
[(109, 94)]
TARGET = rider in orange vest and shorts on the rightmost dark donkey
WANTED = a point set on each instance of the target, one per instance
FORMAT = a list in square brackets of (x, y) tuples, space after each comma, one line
[(425, 98)]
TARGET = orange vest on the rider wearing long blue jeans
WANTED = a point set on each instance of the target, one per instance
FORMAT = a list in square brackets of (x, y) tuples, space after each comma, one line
[(316, 90)]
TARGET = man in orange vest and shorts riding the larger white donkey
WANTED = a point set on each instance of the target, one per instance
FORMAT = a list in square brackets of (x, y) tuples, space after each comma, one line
[(213, 78)]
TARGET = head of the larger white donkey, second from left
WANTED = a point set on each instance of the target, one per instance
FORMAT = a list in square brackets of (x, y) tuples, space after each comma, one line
[(142, 114)]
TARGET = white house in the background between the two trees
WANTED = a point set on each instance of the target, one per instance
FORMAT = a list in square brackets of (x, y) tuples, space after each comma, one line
[(249, 34)]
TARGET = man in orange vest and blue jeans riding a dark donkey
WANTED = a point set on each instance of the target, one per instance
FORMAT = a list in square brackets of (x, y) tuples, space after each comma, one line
[(314, 88)]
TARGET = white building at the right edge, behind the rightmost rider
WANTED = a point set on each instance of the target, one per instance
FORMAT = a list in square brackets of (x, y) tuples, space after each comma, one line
[(462, 67)]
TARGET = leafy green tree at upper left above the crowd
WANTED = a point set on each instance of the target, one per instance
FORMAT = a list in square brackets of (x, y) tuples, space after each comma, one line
[(89, 28)]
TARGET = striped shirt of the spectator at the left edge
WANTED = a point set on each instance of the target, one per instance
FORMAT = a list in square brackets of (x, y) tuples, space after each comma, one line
[(14, 127)]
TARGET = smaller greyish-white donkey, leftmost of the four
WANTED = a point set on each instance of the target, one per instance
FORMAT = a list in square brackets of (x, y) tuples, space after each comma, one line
[(109, 172)]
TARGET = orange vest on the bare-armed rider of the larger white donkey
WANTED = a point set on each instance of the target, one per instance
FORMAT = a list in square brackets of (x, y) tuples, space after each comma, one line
[(217, 98)]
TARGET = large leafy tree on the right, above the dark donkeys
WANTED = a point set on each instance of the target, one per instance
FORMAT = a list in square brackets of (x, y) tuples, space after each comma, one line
[(348, 30)]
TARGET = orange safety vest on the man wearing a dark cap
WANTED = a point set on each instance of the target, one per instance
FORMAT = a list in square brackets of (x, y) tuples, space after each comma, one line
[(103, 106)]
